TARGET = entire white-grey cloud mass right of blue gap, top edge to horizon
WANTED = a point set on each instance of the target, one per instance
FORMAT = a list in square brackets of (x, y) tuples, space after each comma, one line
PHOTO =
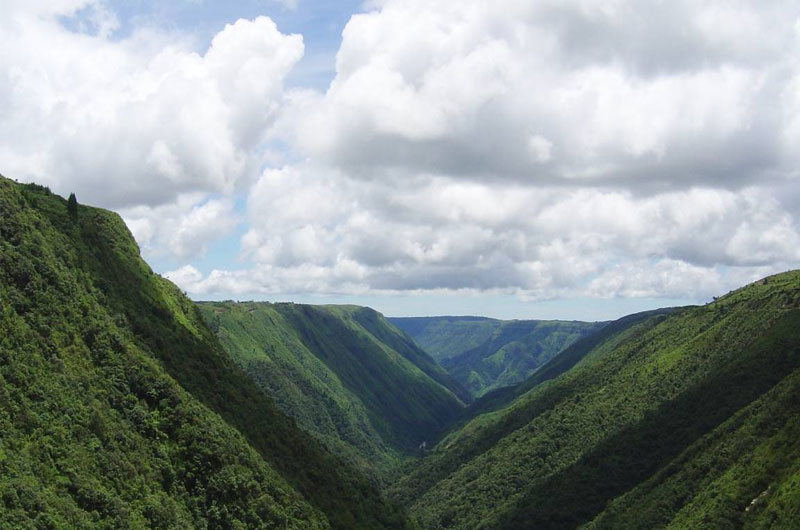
[(546, 149)]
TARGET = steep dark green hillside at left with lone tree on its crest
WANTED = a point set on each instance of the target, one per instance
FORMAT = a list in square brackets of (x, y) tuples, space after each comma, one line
[(119, 408)]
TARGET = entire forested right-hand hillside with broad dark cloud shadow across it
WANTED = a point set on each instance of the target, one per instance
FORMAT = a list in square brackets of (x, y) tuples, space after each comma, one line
[(684, 420)]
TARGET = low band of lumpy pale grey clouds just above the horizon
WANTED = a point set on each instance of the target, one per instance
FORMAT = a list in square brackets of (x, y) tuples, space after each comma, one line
[(315, 229)]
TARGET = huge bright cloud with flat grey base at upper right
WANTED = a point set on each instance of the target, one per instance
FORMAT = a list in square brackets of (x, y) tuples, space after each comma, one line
[(669, 94)]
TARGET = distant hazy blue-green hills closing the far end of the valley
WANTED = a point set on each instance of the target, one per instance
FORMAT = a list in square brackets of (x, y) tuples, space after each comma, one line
[(484, 354)]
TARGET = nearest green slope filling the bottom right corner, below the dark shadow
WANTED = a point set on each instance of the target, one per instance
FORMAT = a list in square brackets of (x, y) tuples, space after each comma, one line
[(744, 474)]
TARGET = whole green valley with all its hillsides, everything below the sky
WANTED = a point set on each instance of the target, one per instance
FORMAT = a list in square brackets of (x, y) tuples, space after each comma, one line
[(124, 403)]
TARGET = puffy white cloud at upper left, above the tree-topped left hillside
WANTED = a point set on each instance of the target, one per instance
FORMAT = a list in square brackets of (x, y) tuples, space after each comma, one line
[(139, 120)]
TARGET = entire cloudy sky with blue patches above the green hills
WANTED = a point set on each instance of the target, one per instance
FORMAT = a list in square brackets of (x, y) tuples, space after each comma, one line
[(512, 158)]
